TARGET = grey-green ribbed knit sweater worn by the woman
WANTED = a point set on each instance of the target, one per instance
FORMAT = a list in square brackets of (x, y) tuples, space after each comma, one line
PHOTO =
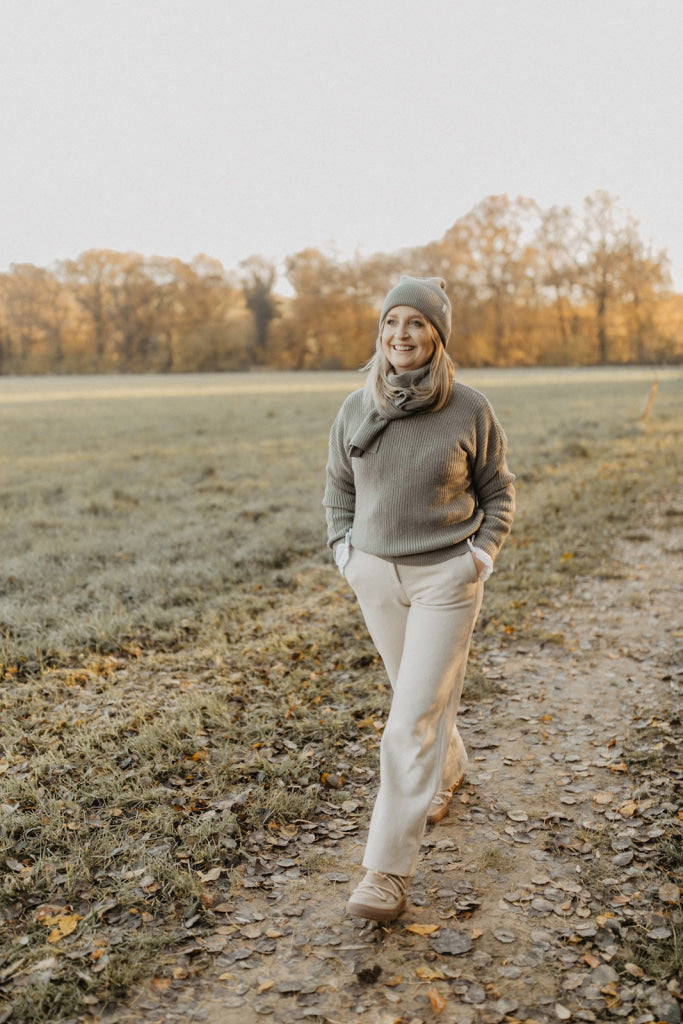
[(431, 483)]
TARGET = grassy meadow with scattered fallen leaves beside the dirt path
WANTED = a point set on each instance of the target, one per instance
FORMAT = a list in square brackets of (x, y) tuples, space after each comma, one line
[(181, 664)]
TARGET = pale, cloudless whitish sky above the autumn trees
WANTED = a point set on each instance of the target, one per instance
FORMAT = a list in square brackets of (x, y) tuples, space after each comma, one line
[(234, 127)]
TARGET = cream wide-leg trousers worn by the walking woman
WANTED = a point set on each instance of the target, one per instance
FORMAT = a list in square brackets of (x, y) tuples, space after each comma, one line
[(421, 619)]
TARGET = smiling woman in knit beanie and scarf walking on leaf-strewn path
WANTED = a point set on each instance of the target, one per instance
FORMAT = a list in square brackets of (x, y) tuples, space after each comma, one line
[(419, 500)]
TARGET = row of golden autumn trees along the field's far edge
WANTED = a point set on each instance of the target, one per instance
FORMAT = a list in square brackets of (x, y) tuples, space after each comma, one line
[(529, 287)]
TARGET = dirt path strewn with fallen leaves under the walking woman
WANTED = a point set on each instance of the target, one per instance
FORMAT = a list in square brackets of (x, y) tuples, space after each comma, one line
[(533, 894)]
